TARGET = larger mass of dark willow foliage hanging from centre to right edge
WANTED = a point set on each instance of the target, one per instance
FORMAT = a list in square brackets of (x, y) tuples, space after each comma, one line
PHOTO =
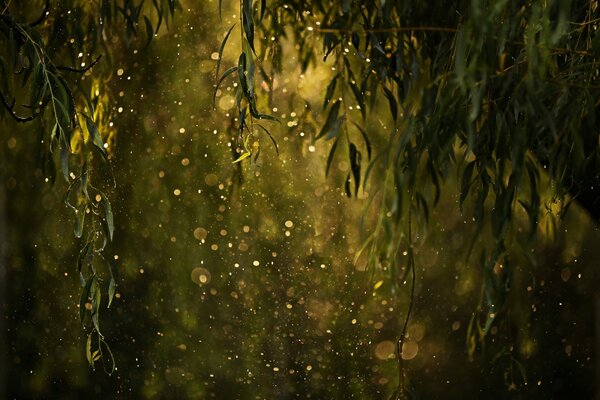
[(500, 89)]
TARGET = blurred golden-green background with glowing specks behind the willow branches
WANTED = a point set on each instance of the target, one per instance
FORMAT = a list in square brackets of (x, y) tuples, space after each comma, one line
[(238, 281)]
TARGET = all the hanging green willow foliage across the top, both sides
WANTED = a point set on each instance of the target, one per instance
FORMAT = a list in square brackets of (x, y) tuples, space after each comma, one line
[(495, 98)]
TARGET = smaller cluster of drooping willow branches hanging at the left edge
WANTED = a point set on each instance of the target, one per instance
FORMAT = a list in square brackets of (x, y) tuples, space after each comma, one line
[(70, 105)]
